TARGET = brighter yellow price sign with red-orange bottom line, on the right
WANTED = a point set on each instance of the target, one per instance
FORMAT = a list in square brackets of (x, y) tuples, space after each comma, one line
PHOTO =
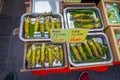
[(77, 35)]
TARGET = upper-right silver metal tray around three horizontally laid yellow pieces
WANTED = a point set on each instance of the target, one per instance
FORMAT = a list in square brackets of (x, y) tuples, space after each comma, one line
[(69, 23)]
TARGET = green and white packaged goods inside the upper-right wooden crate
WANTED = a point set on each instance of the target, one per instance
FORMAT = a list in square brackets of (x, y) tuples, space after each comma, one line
[(113, 13)]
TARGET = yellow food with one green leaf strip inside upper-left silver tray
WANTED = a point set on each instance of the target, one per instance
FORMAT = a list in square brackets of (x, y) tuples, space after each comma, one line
[(39, 25)]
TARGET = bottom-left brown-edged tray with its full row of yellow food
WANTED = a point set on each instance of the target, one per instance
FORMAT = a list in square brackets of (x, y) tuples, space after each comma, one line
[(44, 56)]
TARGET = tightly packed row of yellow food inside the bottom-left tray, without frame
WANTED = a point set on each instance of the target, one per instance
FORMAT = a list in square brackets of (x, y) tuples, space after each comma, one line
[(45, 55)]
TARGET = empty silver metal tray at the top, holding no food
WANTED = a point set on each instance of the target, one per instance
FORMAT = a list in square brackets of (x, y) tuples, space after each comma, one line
[(39, 6)]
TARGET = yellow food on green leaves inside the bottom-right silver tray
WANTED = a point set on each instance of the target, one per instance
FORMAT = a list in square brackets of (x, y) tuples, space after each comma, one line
[(89, 51)]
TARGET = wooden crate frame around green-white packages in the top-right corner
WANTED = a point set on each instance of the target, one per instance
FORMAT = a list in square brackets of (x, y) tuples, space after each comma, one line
[(101, 6)]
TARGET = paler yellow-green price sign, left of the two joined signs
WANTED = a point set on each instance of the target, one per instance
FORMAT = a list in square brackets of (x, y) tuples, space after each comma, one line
[(59, 35)]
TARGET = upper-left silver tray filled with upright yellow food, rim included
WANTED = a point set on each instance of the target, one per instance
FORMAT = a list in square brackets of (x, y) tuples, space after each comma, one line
[(36, 26)]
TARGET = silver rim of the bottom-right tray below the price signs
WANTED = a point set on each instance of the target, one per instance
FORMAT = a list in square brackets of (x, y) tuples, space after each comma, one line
[(92, 63)]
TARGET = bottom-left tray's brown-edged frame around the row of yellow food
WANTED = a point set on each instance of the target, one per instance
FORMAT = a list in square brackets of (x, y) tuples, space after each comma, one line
[(46, 64)]
